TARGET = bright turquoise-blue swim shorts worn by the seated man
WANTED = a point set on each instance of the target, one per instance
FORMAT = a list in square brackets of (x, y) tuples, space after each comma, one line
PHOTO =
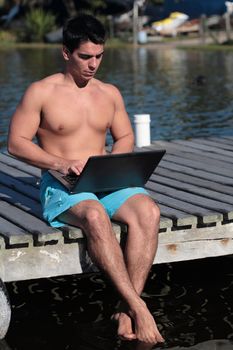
[(55, 199)]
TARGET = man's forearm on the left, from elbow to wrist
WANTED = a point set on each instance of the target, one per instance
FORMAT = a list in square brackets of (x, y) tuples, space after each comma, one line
[(35, 155)]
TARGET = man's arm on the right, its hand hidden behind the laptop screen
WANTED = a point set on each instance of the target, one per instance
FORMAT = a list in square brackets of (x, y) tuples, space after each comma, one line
[(121, 128)]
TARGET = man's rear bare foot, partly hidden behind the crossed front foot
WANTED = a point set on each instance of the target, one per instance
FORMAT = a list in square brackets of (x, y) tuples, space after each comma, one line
[(125, 331)]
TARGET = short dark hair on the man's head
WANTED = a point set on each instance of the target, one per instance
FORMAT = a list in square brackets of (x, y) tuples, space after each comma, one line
[(83, 28)]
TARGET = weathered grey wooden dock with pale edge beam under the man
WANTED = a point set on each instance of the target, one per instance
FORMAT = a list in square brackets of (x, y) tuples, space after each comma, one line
[(192, 185)]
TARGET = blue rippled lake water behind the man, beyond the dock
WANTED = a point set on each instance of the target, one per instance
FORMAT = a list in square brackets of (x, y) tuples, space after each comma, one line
[(159, 82)]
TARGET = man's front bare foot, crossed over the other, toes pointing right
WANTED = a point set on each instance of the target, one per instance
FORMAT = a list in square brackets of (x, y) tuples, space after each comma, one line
[(146, 330)]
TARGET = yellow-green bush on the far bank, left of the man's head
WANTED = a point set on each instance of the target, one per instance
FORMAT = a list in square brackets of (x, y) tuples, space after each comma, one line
[(37, 24)]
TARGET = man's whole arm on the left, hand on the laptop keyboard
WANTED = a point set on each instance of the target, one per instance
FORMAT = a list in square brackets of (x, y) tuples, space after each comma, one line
[(24, 126)]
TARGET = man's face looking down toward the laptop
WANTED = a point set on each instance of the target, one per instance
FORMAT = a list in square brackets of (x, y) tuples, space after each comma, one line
[(85, 60)]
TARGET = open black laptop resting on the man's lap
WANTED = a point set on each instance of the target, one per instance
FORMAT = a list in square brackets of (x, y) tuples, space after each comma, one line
[(111, 172)]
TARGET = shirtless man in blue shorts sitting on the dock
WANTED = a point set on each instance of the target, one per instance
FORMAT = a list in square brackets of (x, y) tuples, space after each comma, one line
[(70, 113)]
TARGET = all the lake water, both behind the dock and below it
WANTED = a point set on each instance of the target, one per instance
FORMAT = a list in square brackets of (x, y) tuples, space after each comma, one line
[(188, 94)]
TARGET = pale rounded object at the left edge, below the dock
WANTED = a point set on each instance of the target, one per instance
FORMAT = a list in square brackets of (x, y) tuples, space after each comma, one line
[(5, 310)]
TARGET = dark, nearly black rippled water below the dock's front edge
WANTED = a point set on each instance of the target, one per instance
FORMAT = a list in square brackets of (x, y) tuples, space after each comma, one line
[(190, 301)]
